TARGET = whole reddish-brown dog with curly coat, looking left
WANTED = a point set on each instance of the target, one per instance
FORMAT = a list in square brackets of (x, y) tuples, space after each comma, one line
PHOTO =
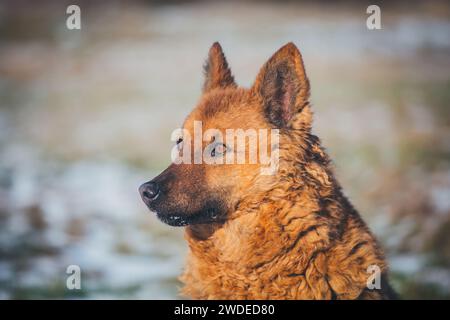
[(288, 235)]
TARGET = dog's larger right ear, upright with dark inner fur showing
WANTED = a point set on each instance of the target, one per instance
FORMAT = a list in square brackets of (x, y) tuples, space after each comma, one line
[(283, 86)]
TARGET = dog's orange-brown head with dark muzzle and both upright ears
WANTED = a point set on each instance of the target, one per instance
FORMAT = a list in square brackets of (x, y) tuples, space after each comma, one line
[(204, 184)]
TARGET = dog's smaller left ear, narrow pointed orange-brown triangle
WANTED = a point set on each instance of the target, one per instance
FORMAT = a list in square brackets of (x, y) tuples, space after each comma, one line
[(217, 72)]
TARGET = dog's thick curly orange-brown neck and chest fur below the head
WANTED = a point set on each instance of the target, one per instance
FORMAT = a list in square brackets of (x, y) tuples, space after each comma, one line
[(302, 240)]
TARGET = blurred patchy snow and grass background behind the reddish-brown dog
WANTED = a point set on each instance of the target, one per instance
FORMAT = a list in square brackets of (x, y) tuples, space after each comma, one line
[(86, 117)]
